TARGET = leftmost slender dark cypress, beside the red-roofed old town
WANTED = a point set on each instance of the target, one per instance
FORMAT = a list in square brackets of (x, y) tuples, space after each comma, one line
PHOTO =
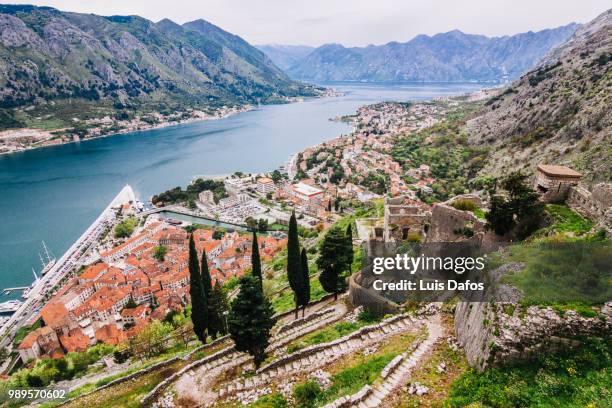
[(199, 307)]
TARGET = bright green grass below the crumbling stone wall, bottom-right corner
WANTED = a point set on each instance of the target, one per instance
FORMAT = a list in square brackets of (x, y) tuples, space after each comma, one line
[(576, 378)]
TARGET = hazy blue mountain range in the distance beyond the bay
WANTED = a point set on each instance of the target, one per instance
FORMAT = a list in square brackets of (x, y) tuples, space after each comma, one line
[(451, 56)]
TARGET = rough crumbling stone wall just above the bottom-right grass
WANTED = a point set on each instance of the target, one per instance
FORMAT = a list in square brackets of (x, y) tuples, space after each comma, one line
[(498, 334)]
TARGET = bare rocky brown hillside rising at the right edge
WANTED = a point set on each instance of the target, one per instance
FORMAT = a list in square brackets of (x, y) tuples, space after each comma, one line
[(558, 112)]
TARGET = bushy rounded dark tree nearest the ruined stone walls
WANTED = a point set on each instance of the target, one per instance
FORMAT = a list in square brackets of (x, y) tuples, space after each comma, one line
[(332, 261)]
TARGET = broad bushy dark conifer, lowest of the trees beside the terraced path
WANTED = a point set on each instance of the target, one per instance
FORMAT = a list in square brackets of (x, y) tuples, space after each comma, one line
[(250, 320)]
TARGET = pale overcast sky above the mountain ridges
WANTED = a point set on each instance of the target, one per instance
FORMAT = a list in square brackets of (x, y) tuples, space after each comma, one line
[(349, 22)]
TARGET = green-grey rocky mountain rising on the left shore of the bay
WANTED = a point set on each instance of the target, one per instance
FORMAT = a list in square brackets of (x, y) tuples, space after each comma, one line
[(50, 56)]
